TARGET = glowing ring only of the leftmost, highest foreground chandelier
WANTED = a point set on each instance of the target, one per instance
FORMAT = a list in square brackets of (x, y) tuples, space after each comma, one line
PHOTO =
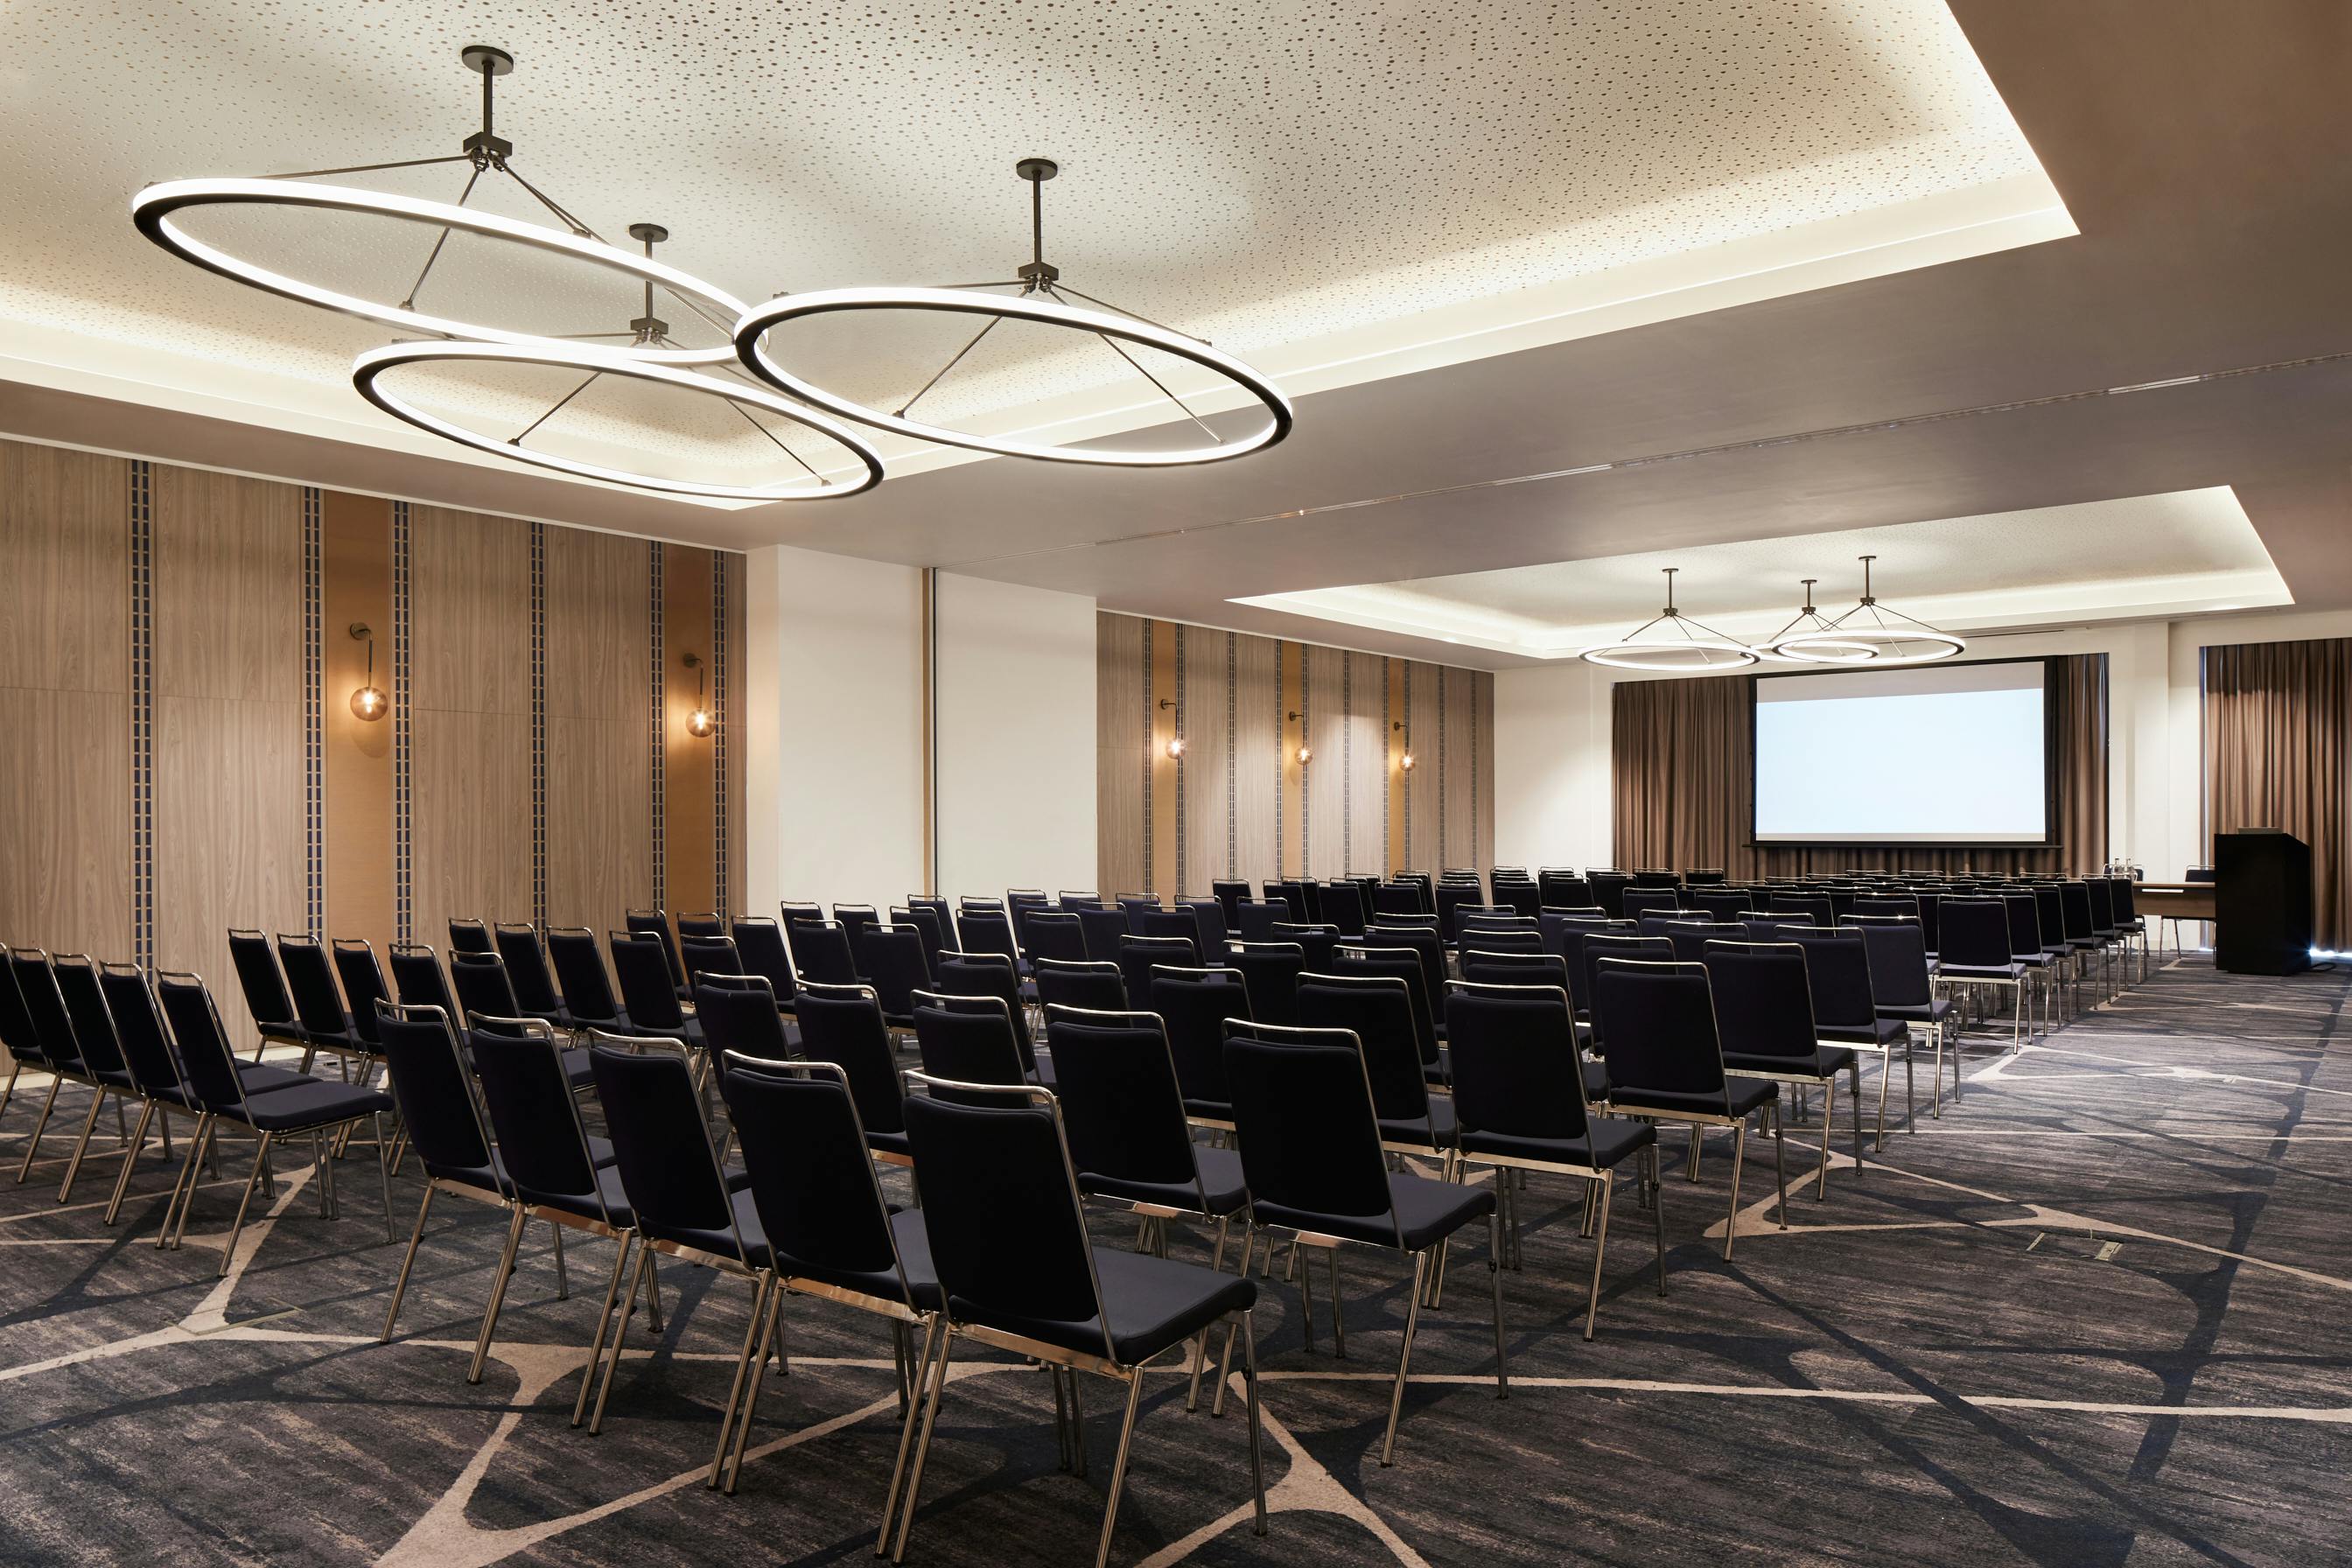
[(156, 208)]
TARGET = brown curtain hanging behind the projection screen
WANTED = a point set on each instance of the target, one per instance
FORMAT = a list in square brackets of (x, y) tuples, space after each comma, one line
[(1681, 758)]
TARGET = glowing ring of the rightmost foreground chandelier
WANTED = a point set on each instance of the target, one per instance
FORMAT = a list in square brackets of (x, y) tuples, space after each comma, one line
[(1050, 314)]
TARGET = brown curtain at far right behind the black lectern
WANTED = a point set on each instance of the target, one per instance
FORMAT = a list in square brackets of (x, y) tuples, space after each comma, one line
[(2278, 746)]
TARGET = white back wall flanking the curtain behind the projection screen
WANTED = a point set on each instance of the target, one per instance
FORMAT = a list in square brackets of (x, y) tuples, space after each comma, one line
[(1551, 746)]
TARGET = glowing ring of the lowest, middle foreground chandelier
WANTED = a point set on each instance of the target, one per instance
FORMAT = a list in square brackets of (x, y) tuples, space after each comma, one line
[(613, 363)]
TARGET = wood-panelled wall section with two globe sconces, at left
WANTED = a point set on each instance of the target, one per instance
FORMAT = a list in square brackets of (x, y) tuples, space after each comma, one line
[(178, 676)]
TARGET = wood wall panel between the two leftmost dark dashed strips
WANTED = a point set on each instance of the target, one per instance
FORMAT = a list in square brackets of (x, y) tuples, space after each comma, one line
[(229, 725)]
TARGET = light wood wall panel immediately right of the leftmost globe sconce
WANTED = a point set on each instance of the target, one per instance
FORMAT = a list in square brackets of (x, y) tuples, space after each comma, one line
[(472, 721)]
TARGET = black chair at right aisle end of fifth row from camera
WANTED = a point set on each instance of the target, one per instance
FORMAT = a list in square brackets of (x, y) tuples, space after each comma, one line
[(1768, 1031)]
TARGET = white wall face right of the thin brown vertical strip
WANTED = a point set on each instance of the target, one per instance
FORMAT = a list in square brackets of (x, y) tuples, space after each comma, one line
[(1015, 699)]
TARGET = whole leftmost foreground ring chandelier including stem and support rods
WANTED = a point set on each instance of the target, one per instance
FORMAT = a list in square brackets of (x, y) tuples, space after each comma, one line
[(156, 208)]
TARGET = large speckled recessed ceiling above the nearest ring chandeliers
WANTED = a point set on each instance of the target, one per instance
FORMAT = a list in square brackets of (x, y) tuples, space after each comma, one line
[(1335, 192)]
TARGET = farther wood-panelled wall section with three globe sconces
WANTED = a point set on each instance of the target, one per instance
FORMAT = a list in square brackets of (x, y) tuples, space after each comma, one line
[(1238, 803)]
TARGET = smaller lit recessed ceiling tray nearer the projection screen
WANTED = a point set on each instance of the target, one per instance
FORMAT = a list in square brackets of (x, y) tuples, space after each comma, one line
[(2104, 561)]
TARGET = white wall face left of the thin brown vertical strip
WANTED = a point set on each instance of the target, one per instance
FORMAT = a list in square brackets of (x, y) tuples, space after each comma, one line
[(834, 737)]
